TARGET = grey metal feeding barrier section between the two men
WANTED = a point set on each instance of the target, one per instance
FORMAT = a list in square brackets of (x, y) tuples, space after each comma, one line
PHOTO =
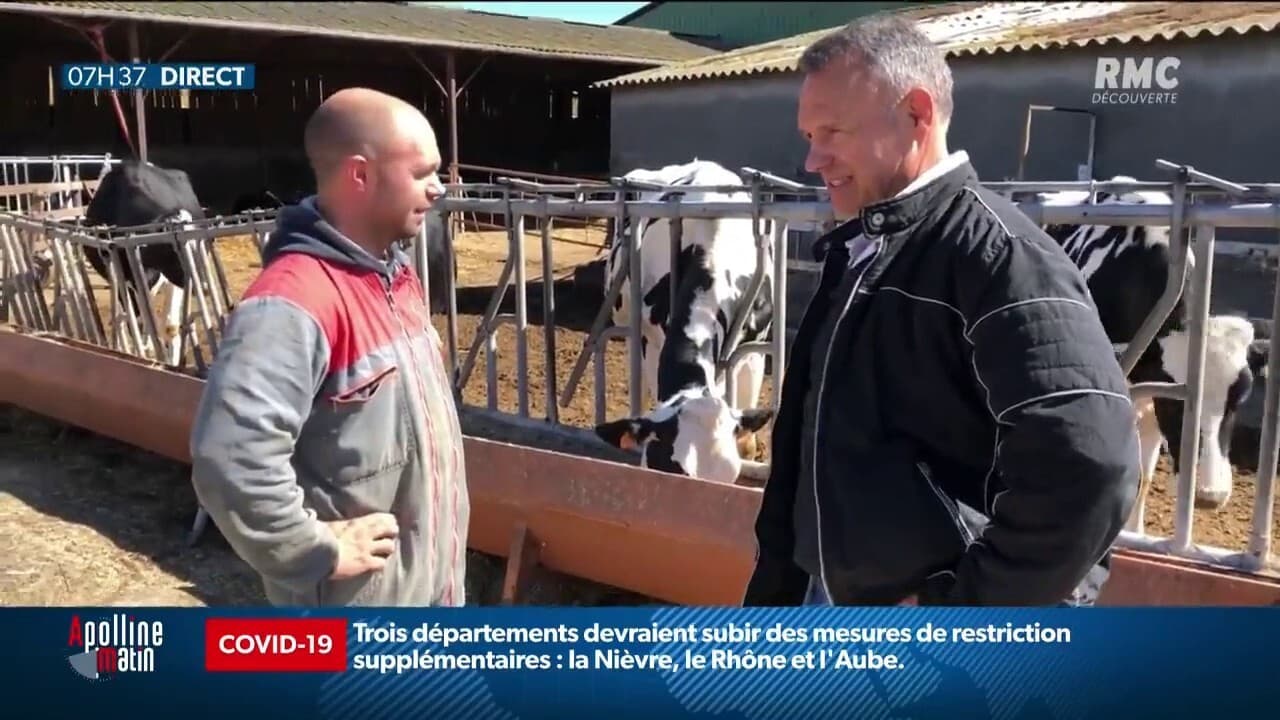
[(518, 199)]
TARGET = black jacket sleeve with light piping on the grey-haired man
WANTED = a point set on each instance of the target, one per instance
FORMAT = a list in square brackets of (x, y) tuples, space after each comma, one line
[(1067, 463)]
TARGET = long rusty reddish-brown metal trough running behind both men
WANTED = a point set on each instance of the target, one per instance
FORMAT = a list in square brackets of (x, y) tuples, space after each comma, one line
[(673, 539)]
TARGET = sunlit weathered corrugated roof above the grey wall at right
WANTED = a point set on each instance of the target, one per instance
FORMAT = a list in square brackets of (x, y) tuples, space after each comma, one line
[(975, 29)]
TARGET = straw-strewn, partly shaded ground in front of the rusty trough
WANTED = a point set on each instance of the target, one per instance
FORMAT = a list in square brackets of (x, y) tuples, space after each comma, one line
[(90, 521)]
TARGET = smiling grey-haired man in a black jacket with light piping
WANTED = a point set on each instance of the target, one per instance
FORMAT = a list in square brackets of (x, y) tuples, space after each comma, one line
[(956, 429)]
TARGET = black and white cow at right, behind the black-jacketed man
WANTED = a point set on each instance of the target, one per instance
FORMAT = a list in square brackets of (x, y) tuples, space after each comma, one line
[(1127, 270)]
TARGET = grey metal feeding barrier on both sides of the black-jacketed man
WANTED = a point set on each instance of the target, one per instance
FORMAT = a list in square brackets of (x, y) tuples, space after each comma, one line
[(1191, 211)]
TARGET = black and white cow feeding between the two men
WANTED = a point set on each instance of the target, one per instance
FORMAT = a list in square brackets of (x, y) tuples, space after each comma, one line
[(694, 431)]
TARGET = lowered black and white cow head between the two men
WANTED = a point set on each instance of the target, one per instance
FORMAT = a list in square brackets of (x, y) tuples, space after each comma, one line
[(693, 434)]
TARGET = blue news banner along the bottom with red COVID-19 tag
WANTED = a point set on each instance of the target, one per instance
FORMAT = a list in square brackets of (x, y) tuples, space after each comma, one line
[(520, 663)]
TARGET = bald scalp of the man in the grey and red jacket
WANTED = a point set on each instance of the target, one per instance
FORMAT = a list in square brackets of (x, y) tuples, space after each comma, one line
[(364, 122)]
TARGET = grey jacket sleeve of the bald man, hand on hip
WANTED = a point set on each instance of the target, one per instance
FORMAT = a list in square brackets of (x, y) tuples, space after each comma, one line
[(258, 395)]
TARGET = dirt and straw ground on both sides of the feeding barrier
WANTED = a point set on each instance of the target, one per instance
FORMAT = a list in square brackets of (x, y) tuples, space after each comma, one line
[(88, 521)]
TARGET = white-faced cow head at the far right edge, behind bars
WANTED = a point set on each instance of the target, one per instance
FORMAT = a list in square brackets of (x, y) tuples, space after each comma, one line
[(1235, 357)]
